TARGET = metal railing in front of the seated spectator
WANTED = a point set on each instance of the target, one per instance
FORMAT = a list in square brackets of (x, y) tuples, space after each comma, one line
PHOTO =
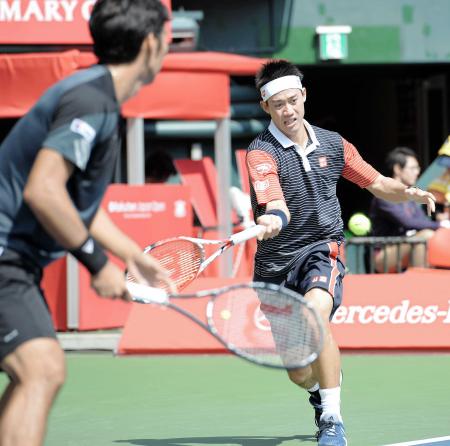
[(366, 247)]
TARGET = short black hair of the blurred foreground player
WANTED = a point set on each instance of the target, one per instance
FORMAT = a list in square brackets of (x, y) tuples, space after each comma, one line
[(118, 27)]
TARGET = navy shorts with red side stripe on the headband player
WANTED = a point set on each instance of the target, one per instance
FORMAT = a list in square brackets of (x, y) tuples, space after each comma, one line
[(318, 267)]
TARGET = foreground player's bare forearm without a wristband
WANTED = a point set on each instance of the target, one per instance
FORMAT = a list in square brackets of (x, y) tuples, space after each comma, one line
[(112, 238)]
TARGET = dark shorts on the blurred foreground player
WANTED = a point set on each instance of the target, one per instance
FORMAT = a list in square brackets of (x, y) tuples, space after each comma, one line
[(23, 310)]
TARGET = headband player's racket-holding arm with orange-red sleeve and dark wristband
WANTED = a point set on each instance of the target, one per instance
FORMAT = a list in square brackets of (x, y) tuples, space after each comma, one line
[(263, 172)]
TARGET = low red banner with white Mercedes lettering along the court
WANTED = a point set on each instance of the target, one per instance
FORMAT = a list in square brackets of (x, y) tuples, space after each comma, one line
[(392, 311)]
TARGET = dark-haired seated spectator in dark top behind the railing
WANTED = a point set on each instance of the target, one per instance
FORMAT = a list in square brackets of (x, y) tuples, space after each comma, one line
[(402, 219)]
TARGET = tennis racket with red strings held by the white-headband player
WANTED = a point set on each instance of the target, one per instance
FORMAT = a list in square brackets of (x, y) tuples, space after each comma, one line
[(184, 257)]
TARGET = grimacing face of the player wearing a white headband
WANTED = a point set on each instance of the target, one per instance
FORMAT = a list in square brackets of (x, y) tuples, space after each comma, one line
[(286, 110)]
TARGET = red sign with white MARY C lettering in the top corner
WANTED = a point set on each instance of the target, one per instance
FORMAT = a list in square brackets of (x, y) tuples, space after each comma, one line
[(35, 22)]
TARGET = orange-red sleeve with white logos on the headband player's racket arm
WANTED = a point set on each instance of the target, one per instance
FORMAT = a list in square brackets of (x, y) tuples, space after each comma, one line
[(263, 172)]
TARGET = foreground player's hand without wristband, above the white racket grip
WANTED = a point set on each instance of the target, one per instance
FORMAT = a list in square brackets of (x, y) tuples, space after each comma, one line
[(147, 270)]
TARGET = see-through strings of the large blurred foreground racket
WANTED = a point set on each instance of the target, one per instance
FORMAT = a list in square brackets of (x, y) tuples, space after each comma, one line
[(268, 326)]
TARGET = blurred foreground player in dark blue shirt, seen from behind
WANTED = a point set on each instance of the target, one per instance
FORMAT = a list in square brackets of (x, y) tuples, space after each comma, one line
[(55, 166)]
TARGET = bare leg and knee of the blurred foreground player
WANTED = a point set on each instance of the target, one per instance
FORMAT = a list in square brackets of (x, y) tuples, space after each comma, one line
[(37, 372)]
